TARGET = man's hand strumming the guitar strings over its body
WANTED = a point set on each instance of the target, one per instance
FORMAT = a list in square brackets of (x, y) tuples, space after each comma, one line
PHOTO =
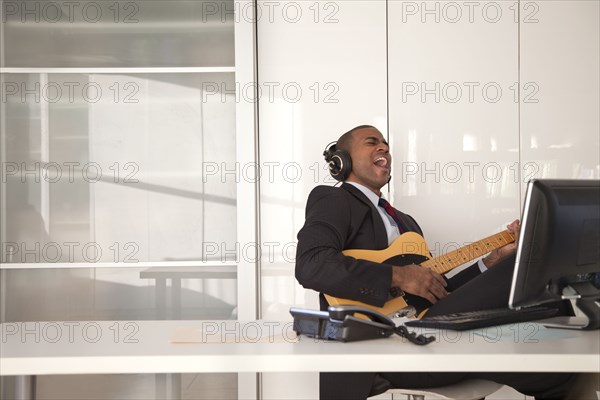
[(419, 281)]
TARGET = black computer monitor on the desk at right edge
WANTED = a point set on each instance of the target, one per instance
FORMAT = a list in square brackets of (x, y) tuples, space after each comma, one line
[(558, 253)]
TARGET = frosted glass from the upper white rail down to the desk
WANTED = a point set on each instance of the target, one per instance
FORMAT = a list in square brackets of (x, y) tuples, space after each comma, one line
[(118, 171)]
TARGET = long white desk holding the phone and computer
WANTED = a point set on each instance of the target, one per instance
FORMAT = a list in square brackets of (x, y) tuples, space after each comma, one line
[(118, 347)]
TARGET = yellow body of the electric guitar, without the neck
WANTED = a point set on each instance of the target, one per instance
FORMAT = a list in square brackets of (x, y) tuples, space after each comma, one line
[(409, 248)]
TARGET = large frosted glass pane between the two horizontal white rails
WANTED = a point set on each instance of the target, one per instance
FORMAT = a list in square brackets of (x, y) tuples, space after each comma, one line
[(113, 171)]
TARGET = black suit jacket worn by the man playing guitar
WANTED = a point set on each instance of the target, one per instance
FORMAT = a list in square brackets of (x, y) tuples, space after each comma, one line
[(341, 218)]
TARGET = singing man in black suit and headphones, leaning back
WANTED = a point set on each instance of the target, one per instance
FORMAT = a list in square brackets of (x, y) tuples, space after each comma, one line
[(352, 216)]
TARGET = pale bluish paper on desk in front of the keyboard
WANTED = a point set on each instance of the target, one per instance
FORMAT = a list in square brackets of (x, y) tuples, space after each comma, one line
[(525, 332)]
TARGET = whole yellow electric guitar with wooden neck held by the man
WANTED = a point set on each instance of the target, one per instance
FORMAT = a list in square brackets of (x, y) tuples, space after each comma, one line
[(411, 248)]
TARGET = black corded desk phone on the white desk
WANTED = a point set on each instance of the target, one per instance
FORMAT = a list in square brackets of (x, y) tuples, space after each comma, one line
[(341, 323)]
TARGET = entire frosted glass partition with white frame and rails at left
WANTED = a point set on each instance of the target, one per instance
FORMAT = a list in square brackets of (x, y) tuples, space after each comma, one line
[(119, 129)]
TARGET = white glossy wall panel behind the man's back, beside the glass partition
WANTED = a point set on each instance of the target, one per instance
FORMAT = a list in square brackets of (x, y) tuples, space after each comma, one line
[(334, 53)]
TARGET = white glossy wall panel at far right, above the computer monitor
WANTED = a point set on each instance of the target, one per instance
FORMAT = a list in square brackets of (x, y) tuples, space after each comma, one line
[(560, 53)]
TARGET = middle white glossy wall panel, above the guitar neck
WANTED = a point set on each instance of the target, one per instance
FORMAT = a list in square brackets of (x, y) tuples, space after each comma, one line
[(454, 117)]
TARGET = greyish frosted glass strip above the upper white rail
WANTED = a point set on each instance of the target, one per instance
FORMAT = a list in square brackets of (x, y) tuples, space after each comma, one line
[(129, 33)]
